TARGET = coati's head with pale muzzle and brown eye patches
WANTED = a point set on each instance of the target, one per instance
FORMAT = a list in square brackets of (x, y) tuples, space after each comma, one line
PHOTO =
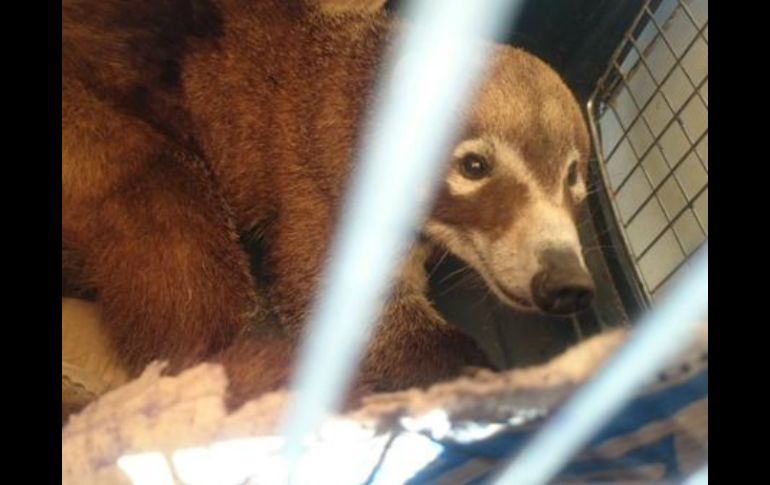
[(508, 206)]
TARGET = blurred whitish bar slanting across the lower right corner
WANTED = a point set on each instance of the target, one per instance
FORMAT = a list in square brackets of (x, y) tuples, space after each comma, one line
[(661, 334)]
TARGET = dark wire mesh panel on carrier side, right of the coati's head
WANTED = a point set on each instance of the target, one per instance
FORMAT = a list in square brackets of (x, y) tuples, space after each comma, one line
[(649, 116)]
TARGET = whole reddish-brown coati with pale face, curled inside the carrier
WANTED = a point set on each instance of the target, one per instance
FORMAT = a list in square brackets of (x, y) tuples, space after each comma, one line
[(191, 125)]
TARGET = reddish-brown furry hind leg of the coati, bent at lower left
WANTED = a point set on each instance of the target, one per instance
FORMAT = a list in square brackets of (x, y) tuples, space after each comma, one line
[(166, 264)]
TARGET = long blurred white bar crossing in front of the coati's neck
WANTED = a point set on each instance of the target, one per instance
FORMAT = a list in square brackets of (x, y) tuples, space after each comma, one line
[(425, 88)]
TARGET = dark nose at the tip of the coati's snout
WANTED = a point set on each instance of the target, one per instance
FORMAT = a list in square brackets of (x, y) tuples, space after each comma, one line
[(562, 286)]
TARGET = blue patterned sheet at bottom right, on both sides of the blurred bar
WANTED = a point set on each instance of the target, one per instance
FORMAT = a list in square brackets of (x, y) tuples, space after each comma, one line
[(662, 436)]
